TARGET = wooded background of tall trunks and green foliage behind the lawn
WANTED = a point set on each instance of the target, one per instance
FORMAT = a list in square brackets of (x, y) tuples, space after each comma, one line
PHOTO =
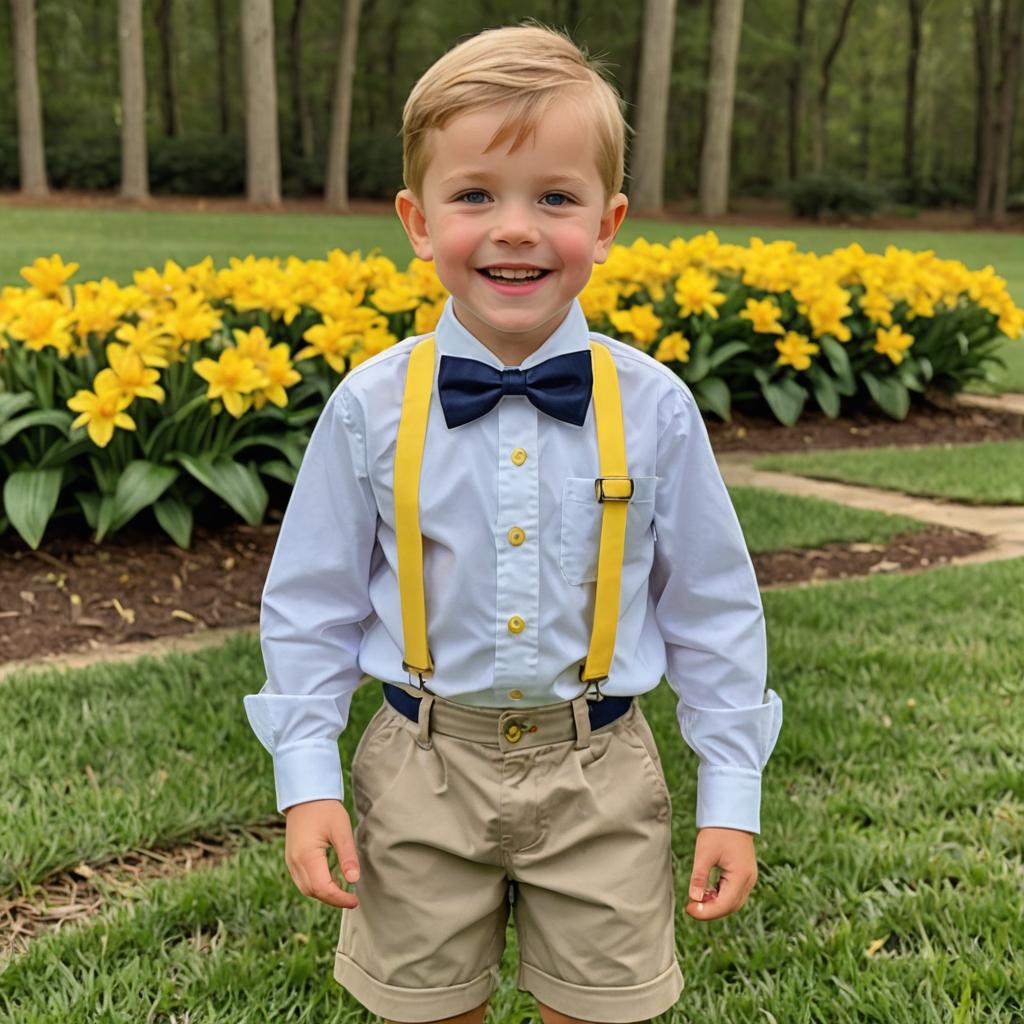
[(920, 97)]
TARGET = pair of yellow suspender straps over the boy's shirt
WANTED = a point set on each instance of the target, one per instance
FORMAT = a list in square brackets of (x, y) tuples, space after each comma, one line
[(613, 490)]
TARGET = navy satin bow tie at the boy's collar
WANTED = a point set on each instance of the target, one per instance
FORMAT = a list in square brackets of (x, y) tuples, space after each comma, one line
[(560, 387)]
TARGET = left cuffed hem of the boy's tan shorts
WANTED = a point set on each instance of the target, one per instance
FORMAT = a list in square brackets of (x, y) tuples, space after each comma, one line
[(412, 1005)]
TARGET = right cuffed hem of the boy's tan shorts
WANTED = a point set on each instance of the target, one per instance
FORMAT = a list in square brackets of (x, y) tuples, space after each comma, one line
[(630, 1003)]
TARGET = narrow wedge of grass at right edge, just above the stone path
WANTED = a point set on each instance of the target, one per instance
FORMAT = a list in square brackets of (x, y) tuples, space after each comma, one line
[(990, 474)]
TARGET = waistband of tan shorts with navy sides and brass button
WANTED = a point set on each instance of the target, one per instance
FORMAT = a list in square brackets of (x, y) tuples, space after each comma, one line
[(509, 729)]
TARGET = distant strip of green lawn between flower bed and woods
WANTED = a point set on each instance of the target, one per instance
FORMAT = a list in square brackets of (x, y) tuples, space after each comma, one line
[(117, 242)]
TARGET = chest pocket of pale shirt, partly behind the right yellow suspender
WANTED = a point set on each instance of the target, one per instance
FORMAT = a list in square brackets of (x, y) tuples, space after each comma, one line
[(581, 539)]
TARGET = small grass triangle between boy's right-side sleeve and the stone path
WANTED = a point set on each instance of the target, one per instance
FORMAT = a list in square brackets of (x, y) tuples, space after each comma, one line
[(773, 521)]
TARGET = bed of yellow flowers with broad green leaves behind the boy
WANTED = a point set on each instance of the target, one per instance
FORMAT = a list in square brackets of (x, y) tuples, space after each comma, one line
[(197, 382)]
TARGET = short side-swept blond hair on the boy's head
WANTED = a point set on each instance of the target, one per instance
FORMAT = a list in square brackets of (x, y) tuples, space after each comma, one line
[(528, 66)]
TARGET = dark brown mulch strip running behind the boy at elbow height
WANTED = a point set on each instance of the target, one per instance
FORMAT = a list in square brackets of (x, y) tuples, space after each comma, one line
[(73, 595)]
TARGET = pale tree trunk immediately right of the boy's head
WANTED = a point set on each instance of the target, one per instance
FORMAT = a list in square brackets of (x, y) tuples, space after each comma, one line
[(653, 107)]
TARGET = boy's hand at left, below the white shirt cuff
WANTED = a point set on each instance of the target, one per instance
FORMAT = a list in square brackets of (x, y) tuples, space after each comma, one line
[(310, 829)]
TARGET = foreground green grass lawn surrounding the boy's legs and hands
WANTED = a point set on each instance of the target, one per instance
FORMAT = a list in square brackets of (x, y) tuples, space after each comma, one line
[(890, 856)]
